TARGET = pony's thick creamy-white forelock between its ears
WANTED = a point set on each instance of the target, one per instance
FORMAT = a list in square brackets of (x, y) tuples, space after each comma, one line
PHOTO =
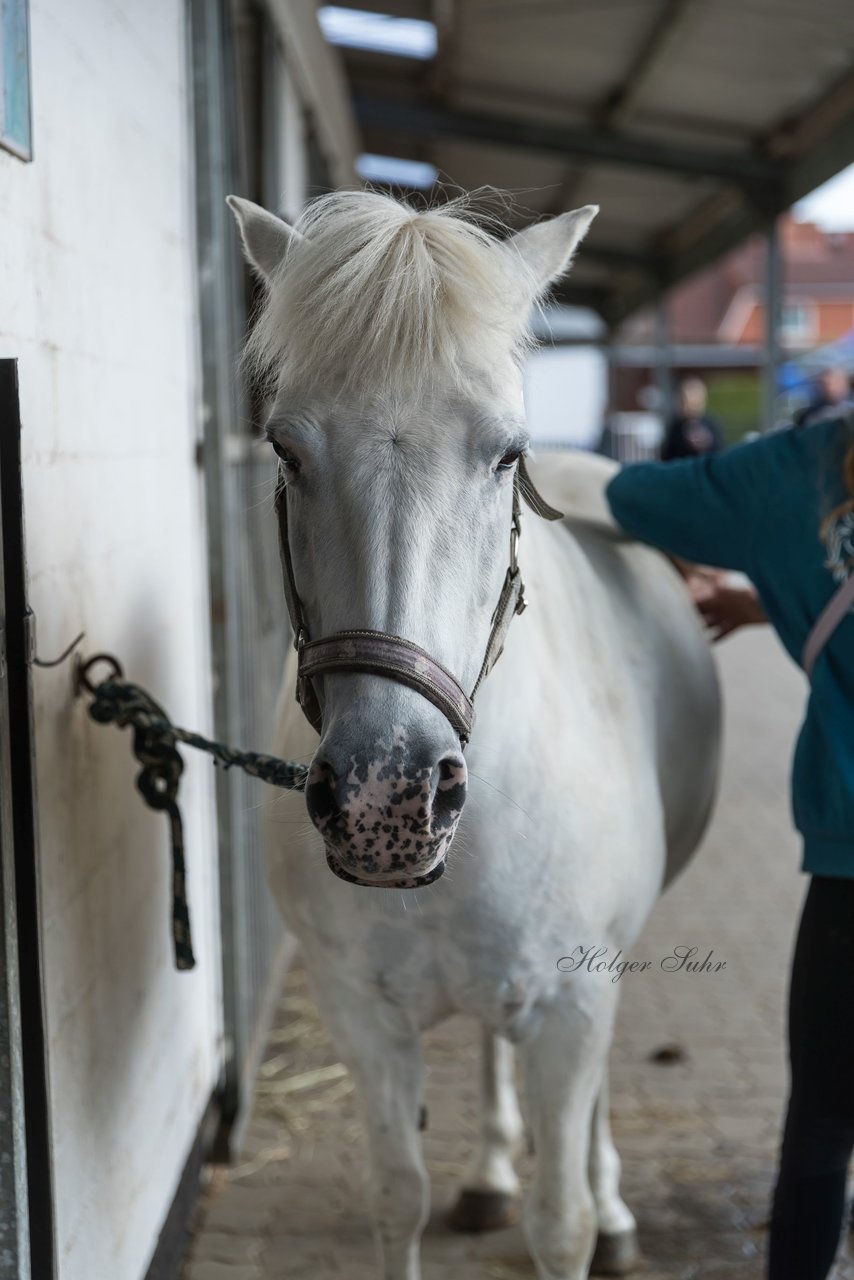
[(377, 292)]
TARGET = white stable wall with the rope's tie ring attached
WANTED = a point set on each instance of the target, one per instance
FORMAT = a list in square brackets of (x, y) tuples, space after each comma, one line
[(98, 301)]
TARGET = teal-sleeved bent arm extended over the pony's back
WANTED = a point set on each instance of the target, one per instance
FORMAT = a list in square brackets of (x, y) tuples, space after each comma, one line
[(701, 510)]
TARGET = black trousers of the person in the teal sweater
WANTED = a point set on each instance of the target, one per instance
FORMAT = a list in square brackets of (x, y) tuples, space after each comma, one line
[(819, 1135)]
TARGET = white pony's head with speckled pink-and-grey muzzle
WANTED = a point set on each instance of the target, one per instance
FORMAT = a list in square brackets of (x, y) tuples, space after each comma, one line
[(394, 344)]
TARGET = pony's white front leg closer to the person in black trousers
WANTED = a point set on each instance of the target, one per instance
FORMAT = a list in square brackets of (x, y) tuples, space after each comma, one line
[(563, 1068)]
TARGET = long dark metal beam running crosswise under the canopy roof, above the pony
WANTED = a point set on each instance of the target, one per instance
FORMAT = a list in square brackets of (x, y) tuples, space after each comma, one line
[(422, 120)]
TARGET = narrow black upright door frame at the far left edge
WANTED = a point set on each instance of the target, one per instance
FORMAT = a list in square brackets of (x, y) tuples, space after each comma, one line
[(26, 1199)]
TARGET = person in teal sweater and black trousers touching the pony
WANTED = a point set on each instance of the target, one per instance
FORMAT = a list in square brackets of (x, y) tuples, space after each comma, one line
[(782, 511)]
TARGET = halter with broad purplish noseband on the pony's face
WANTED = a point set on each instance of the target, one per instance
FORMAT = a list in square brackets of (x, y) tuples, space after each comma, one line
[(395, 657)]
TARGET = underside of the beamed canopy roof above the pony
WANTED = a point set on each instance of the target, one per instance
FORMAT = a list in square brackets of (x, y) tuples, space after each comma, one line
[(691, 122)]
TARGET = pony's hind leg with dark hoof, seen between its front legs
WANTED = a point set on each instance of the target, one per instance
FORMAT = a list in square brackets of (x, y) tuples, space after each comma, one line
[(491, 1188)]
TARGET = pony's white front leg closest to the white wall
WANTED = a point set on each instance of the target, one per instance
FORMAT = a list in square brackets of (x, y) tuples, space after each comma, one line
[(382, 1052)]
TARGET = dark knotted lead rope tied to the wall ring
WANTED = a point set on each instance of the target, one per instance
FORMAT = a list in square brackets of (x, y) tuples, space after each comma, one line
[(117, 701)]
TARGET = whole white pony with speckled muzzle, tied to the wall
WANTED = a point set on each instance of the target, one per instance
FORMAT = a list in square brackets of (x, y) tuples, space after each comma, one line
[(395, 340)]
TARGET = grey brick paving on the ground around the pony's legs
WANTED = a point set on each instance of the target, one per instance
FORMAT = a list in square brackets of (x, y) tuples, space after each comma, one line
[(697, 1136)]
